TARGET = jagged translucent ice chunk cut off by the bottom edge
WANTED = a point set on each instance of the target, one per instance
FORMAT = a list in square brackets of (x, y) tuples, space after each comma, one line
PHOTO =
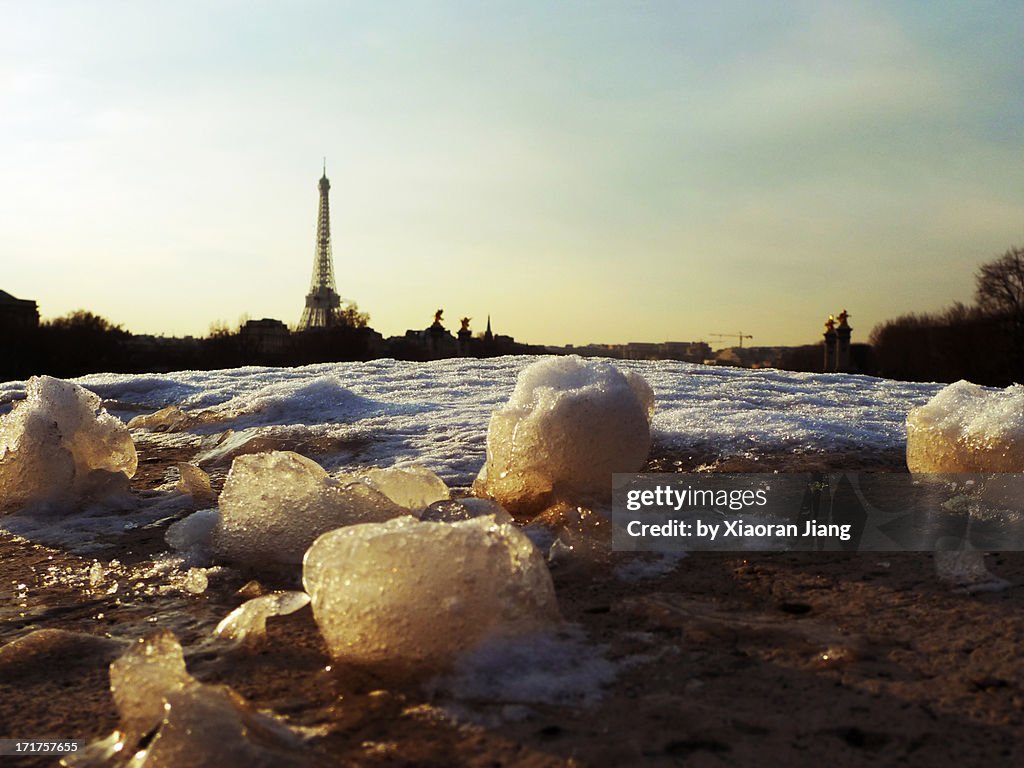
[(192, 723)]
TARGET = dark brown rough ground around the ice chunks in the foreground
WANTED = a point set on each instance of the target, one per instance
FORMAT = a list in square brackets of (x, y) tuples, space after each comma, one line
[(802, 660)]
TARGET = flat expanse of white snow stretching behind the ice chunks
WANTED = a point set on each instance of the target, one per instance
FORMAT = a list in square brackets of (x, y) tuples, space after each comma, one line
[(438, 413)]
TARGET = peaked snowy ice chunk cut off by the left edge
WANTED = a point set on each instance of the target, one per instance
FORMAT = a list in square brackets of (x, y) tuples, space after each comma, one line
[(59, 446)]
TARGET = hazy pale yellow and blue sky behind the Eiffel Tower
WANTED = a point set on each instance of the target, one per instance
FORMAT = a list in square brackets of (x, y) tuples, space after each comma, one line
[(582, 172)]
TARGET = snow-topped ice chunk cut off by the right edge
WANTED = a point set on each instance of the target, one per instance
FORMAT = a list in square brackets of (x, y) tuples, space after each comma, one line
[(968, 429)]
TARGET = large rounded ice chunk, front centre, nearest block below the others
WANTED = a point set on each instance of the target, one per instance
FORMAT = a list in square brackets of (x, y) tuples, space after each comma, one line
[(412, 593)]
